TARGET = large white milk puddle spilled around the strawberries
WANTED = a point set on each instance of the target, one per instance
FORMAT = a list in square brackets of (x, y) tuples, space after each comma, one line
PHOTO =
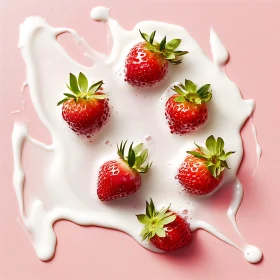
[(69, 188)]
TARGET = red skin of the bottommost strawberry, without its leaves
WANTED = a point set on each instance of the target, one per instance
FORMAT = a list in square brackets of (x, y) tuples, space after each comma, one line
[(178, 235)]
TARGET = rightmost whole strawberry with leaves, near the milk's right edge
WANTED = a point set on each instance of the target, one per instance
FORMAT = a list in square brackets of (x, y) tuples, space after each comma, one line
[(203, 169)]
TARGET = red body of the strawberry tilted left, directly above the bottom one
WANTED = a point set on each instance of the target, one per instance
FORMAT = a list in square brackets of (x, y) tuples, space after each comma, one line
[(117, 180)]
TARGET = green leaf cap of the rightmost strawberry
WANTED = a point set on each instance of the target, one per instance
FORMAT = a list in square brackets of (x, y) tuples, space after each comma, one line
[(214, 155)]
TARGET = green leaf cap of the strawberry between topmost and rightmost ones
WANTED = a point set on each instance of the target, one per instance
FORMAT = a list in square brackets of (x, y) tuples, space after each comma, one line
[(189, 92)]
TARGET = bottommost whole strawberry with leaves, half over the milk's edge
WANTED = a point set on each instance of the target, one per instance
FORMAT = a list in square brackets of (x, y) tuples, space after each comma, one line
[(165, 229)]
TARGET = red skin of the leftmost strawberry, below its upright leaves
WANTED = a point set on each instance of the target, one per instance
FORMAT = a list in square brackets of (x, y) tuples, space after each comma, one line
[(85, 117)]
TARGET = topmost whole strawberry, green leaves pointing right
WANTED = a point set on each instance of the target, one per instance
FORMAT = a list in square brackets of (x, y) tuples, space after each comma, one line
[(147, 62)]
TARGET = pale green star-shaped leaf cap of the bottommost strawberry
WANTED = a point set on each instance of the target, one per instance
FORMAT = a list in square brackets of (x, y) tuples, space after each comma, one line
[(155, 221)]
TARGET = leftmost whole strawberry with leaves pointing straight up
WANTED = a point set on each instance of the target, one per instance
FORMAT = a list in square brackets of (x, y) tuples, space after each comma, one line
[(85, 109)]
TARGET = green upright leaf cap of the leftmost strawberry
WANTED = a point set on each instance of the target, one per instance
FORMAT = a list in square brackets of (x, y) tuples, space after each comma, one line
[(80, 90)]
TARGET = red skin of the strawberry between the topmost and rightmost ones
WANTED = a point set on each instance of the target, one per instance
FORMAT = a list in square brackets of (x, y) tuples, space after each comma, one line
[(184, 117)]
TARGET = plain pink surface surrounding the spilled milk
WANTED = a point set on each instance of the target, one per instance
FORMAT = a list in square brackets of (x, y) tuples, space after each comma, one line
[(250, 30)]
